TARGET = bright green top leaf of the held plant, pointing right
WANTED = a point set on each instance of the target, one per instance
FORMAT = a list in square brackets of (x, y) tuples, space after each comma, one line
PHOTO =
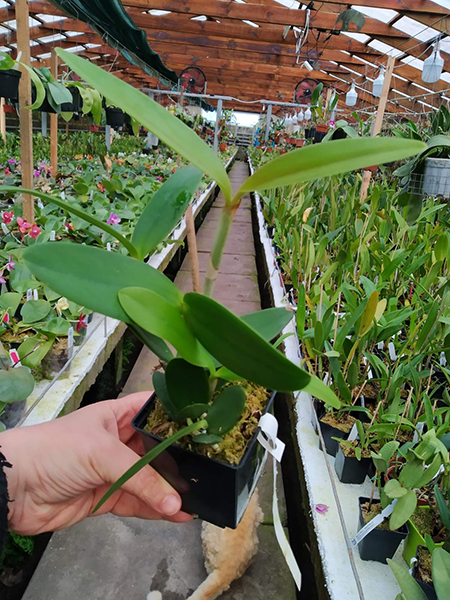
[(333, 158)]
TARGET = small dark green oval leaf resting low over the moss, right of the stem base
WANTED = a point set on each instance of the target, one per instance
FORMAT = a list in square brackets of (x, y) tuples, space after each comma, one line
[(226, 410)]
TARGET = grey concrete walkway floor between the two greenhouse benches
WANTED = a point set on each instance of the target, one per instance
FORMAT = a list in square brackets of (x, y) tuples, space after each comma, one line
[(110, 558)]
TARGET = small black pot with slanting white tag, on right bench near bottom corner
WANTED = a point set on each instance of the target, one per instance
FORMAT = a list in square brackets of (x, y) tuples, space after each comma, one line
[(379, 544)]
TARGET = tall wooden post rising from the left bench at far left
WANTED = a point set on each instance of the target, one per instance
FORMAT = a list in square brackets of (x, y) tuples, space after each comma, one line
[(25, 114)]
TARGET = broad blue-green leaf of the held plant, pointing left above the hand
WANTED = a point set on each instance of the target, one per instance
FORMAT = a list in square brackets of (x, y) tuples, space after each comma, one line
[(93, 278)]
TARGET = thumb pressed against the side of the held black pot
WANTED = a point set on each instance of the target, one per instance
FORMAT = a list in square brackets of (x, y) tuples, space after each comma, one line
[(147, 485)]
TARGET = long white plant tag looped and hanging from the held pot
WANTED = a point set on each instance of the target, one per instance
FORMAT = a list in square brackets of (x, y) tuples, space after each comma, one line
[(269, 440)]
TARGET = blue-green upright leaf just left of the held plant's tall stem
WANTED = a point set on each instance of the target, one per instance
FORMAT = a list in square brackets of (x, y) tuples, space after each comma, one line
[(165, 209)]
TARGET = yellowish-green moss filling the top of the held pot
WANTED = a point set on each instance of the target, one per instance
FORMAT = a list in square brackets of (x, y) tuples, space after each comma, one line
[(232, 448)]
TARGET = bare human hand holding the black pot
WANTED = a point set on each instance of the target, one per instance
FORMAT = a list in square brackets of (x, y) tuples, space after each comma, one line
[(60, 470)]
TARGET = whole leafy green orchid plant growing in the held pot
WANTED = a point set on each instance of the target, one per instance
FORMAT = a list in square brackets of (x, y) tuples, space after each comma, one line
[(204, 334)]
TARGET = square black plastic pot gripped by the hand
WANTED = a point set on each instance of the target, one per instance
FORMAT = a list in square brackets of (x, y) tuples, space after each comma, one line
[(214, 490)]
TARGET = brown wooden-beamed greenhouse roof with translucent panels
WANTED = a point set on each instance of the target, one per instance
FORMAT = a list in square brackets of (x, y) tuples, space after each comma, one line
[(253, 50)]
